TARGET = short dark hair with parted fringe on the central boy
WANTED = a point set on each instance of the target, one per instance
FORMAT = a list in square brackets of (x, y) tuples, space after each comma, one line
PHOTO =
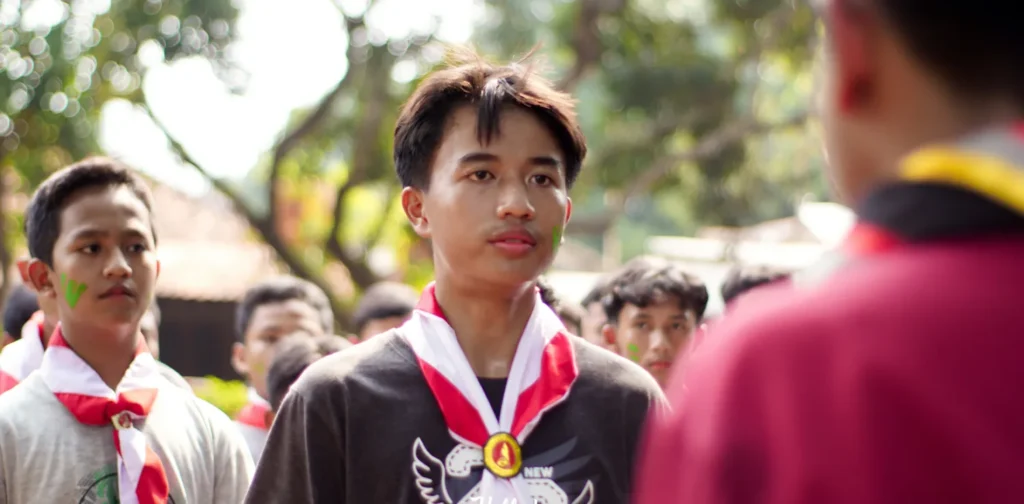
[(491, 89)]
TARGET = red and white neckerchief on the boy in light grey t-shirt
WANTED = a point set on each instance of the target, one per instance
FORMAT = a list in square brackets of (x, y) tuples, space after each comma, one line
[(141, 474)]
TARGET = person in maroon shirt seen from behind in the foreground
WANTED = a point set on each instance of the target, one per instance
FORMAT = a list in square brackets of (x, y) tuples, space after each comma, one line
[(892, 372)]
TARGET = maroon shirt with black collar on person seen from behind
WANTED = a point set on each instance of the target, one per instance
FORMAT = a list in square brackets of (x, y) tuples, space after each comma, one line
[(900, 379)]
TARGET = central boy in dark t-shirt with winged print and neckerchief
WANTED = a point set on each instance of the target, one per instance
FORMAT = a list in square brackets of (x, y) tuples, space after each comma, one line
[(483, 396)]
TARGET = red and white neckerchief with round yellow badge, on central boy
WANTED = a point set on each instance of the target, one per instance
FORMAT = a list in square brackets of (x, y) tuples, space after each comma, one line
[(542, 374)]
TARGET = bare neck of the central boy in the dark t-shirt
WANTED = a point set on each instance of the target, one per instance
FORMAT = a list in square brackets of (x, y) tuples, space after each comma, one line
[(488, 324)]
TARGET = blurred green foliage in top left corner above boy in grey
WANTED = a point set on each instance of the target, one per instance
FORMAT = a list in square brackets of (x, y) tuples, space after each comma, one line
[(62, 62)]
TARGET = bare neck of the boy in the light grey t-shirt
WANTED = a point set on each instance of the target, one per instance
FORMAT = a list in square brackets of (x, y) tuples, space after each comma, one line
[(109, 353)]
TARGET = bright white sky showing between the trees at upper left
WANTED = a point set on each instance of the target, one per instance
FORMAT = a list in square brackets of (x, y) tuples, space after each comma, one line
[(294, 54)]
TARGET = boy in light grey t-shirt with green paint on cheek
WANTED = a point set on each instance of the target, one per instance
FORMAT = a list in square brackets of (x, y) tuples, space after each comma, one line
[(91, 235)]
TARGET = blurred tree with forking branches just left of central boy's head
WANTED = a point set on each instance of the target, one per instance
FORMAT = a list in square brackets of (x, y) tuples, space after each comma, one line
[(334, 161)]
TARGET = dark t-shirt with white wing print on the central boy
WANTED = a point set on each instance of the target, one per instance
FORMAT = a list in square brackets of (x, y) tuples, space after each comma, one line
[(362, 427)]
